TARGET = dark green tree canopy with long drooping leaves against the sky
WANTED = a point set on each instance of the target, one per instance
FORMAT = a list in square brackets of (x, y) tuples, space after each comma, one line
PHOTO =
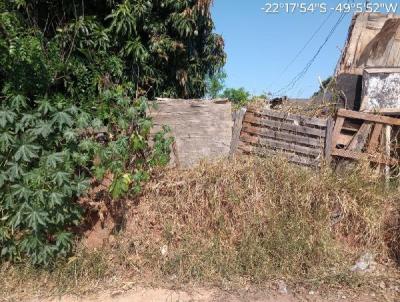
[(166, 47)]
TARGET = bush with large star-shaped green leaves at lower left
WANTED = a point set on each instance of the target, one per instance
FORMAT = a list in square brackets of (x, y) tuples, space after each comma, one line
[(38, 178)]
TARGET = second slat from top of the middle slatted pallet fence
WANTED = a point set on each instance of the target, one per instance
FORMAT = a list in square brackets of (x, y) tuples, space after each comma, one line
[(250, 118)]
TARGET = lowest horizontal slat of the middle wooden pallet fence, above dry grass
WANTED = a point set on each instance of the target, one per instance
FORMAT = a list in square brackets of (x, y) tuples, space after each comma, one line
[(291, 157)]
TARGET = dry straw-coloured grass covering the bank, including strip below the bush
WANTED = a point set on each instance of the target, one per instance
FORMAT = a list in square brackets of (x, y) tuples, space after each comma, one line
[(249, 220)]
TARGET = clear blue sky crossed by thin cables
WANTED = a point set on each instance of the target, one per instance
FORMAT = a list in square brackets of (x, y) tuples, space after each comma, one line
[(260, 45)]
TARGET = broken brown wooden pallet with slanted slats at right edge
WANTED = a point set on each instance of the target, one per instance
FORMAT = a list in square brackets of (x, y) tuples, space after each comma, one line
[(359, 135)]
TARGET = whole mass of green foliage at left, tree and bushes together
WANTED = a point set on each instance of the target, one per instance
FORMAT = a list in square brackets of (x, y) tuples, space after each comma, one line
[(74, 77)]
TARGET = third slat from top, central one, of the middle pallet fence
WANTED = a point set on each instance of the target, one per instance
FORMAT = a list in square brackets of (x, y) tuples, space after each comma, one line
[(281, 135)]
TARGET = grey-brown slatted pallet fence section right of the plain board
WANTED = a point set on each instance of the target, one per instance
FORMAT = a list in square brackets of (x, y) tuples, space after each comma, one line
[(303, 140)]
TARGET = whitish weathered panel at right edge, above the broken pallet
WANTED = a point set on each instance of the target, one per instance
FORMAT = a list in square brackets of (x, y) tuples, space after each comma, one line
[(381, 90)]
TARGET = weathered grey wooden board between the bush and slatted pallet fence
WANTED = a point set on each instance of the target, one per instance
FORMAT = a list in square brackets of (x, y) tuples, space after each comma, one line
[(202, 129)]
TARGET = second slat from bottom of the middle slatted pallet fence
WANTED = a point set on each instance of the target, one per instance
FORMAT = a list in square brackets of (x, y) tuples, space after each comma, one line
[(270, 143)]
